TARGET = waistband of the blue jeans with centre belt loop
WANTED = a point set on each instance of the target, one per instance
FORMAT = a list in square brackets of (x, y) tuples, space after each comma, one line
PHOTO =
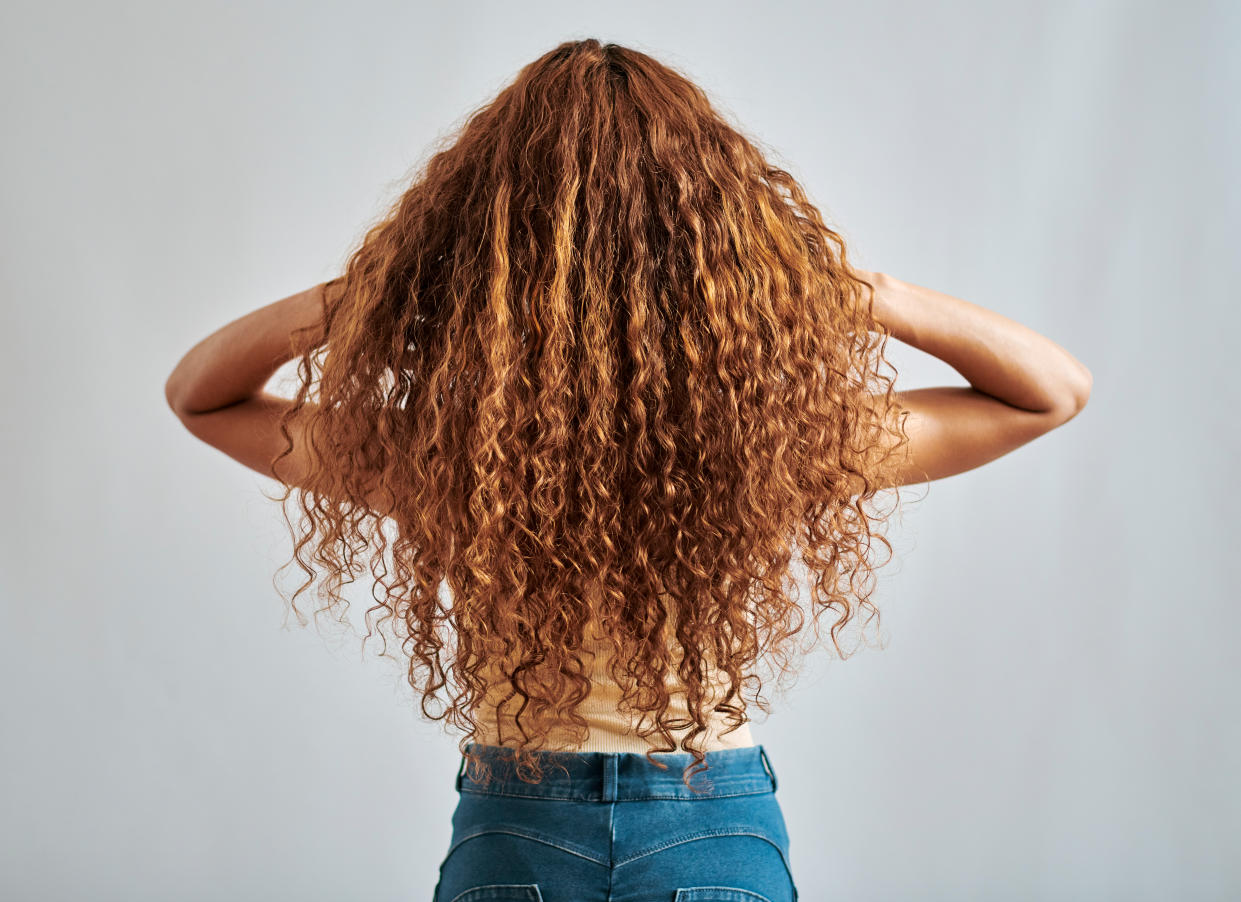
[(622, 776)]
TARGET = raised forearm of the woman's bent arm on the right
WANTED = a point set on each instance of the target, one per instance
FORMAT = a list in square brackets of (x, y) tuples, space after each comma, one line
[(997, 355)]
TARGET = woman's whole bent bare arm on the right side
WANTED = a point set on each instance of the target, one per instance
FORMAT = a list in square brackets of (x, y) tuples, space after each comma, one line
[(1022, 385)]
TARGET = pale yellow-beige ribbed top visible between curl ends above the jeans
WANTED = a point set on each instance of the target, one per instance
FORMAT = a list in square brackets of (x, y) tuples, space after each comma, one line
[(610, 729)]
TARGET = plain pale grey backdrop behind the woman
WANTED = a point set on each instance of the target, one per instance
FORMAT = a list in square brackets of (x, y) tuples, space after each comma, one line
[(1053, 710)]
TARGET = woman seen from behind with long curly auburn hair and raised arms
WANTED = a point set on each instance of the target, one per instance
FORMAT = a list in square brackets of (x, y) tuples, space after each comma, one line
[(606, 370)]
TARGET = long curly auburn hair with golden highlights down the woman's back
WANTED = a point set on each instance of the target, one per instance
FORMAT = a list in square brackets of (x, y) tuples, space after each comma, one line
[(614, 373)]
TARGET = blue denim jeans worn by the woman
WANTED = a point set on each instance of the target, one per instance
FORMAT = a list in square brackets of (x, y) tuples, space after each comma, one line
[(615, 828)]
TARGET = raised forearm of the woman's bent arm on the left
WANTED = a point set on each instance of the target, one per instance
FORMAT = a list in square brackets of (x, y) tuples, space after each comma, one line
[(238, 360)]
